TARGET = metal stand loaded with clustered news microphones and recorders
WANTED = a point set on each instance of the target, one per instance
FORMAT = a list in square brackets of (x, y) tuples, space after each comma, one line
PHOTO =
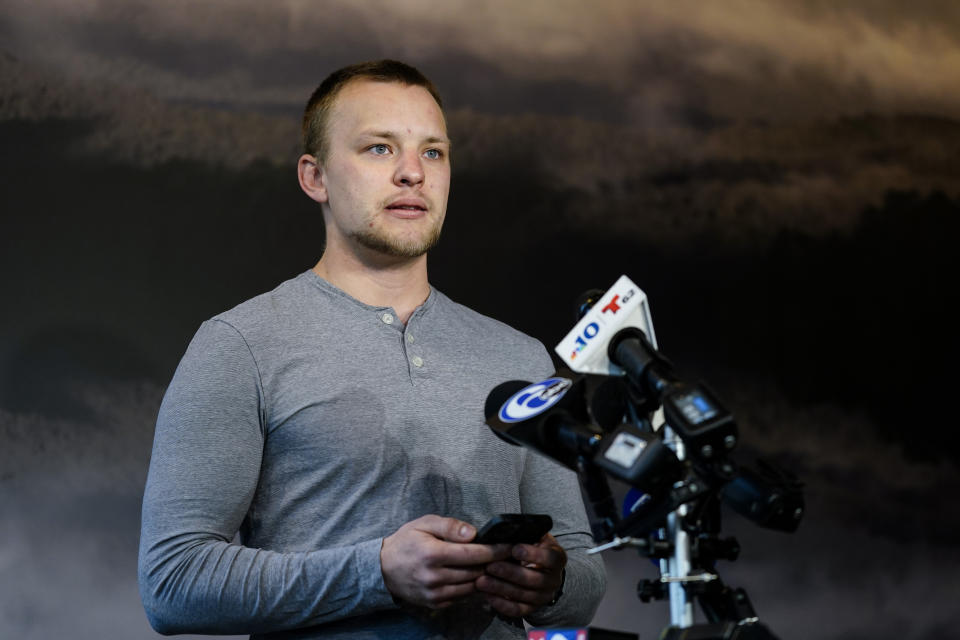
[(683, 470)]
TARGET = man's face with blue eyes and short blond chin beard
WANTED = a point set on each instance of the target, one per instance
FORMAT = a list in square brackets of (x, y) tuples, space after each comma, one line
[(387, 168)]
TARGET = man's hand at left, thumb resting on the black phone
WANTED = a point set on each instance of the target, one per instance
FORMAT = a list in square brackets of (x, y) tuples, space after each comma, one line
[(425, 562)]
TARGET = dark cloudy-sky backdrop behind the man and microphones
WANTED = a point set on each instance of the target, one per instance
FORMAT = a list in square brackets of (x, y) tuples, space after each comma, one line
[(781, 178)]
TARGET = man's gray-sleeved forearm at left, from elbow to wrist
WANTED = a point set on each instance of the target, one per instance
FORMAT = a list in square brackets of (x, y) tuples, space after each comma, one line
[(198, 584)]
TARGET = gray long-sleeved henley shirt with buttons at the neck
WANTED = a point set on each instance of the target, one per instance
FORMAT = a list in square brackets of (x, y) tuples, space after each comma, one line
[(315, 425)]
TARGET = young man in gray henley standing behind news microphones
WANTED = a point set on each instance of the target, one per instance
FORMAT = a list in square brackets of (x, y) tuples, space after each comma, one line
[(336, 423)]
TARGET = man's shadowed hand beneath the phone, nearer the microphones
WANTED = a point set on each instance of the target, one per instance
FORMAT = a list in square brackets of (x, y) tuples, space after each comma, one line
[(517, 589)]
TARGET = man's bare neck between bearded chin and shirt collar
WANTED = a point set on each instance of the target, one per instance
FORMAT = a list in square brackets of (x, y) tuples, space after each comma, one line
[(401, 284)]
